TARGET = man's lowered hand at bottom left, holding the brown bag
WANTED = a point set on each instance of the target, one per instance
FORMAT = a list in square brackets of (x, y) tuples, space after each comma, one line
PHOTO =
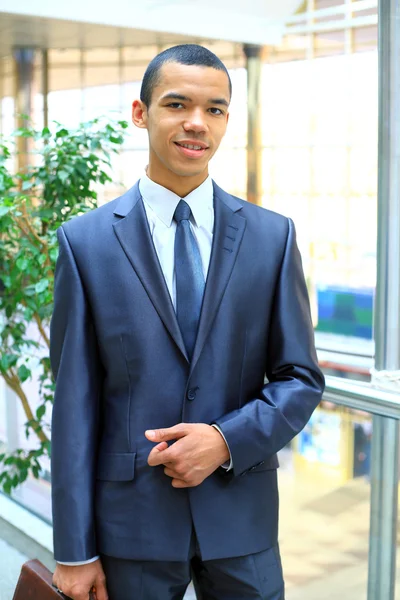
[(77, 581)]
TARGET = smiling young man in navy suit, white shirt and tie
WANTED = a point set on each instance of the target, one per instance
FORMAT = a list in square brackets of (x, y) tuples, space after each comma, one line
[(172, 303)]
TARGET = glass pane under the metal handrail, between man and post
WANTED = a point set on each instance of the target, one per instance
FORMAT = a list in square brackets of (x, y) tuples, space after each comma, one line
[(325, 505)]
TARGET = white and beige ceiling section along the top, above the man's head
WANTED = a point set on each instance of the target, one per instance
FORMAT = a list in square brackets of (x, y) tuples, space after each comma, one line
[(92, 23)]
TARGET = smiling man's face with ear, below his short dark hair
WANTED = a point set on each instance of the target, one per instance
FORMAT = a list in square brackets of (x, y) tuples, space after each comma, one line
[(186, 120)]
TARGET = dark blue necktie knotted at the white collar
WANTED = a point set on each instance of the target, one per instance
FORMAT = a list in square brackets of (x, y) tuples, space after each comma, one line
[(189, 277)]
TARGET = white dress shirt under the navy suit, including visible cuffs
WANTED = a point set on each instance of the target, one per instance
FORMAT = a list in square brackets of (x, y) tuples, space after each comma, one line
[(160, 205)]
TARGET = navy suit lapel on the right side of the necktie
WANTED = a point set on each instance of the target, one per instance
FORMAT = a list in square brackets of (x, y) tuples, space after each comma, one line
[(228, 233)]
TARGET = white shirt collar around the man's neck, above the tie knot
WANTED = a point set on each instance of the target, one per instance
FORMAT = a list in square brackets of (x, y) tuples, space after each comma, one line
[(164, 202)]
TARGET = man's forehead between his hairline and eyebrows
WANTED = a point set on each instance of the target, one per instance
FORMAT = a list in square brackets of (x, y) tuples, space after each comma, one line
[(192, 79)]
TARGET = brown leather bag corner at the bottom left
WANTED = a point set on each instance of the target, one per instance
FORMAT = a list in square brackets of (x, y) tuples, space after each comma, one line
[(34, 583)]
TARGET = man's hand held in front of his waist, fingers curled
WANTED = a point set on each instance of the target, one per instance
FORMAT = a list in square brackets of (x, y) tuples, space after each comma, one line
[(198, 451)]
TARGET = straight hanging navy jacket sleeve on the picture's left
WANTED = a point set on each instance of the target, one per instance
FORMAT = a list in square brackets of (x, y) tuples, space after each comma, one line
[(75, 420)]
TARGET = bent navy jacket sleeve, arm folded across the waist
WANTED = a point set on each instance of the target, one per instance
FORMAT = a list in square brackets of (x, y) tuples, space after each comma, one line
[(265, 424)]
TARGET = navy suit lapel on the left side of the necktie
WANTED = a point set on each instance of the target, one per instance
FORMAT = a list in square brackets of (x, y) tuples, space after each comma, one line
[(133, 234)]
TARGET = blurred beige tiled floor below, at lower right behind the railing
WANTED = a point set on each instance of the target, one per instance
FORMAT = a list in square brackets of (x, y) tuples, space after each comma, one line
[(324, 539)]
